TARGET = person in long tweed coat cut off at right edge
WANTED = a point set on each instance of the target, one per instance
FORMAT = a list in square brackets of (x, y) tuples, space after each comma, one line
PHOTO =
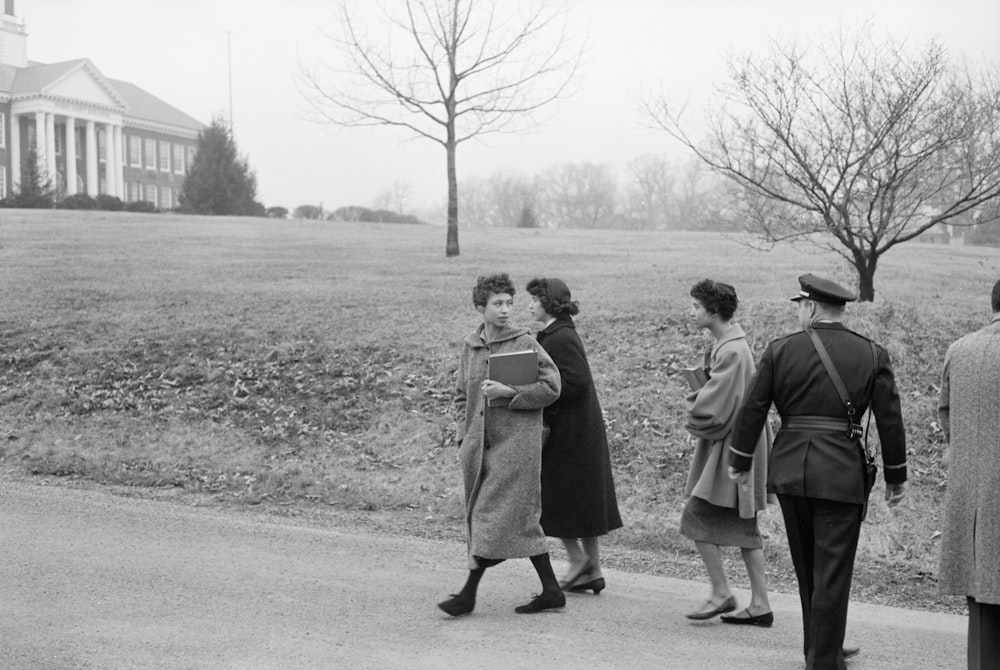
[(969, 409)]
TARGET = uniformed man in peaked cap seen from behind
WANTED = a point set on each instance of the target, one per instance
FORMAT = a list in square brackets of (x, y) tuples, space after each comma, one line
[(817, 466)]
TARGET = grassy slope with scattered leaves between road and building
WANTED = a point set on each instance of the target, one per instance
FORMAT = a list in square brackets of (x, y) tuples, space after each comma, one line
[(278, 362)]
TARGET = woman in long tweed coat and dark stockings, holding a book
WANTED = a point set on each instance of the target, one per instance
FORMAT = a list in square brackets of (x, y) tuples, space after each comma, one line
[(501, 451)]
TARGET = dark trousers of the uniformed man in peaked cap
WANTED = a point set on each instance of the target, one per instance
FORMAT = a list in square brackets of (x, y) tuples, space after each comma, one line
[(823, 540)]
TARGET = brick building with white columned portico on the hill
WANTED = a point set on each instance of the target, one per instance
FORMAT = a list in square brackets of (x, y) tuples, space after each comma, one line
[(90, 134)]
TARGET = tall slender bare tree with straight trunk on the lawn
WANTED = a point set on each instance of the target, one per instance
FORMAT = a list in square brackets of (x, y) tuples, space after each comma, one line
[(460, 70)]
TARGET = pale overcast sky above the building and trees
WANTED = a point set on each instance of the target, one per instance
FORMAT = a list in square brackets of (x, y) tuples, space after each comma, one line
[(177, 50)]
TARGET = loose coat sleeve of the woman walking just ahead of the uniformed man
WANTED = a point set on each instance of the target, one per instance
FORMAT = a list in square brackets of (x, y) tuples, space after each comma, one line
[(712, 408)]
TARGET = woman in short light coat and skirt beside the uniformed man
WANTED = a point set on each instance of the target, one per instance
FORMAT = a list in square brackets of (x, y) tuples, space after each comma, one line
[(719, 512)]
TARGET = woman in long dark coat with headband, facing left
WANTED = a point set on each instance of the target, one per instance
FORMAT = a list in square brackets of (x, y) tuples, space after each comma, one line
[(578, 491)]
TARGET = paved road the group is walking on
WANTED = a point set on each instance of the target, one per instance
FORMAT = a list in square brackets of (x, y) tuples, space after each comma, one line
[(89, 579)]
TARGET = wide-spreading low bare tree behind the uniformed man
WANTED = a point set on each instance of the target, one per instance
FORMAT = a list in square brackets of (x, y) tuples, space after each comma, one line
[(860, 139)]
